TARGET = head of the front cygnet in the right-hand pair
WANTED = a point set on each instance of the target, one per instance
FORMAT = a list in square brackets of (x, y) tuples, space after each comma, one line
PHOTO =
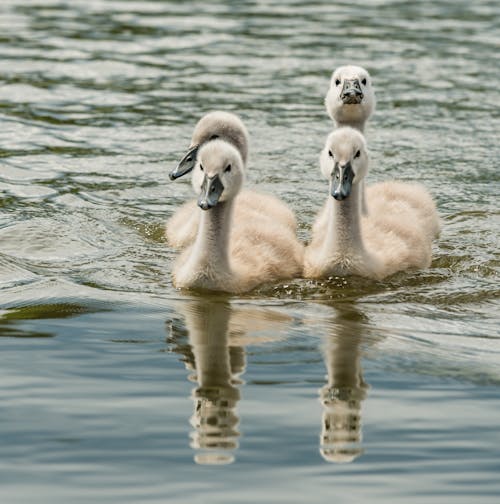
[(344, 161)]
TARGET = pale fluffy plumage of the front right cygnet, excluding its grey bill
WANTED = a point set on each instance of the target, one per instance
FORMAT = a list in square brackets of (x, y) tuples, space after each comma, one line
[(395, 236)]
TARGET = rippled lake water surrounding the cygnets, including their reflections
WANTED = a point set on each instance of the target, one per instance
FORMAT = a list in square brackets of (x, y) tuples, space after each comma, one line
[(114, 386)]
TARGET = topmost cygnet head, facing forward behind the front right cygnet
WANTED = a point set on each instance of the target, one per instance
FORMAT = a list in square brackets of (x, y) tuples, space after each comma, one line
[(350, 100)]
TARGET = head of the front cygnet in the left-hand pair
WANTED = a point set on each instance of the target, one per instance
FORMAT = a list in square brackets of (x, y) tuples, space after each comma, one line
[(218, 174)]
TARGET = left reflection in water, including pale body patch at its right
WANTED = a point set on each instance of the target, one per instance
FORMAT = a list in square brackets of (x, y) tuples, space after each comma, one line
[(217, 334)]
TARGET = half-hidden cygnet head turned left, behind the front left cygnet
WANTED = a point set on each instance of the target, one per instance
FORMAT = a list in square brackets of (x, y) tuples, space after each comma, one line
[(214, 125)]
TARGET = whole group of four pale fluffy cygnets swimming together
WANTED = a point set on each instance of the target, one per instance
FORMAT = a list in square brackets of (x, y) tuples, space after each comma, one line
[(235, 239)]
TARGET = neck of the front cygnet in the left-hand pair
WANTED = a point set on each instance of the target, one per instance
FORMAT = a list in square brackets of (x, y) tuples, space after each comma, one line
[(211, 247)]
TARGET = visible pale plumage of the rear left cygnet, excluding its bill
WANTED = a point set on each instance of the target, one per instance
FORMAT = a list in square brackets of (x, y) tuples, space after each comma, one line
[(182, 227)]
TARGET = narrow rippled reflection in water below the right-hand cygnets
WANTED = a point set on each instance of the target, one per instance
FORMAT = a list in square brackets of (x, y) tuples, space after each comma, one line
[(342, 396)]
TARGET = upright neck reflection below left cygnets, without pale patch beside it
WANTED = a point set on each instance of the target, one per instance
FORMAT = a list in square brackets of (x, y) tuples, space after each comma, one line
[(216, 367)]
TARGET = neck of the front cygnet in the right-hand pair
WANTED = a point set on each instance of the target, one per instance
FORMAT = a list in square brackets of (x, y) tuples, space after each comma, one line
[(344, 226)]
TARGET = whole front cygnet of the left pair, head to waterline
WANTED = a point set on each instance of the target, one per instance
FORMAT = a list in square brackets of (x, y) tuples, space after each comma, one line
[(232, 252)]
